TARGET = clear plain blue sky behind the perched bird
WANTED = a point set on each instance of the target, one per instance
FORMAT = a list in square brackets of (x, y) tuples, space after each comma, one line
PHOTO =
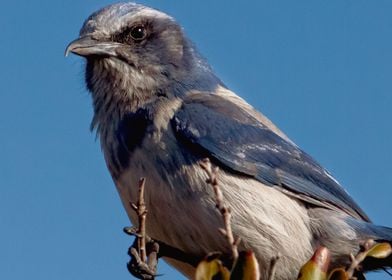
[(321, 70)]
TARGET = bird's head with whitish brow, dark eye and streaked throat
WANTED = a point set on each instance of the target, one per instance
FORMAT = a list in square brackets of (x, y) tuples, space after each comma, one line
[(137, 50)]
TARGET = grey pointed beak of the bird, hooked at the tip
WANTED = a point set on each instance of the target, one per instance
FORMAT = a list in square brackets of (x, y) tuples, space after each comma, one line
[(87, 46)]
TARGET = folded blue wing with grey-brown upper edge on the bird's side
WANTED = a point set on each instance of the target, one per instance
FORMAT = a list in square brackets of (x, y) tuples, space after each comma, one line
[(227, 133)]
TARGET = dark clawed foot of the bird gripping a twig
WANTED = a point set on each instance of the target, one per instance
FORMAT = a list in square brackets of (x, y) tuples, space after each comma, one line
[(142, 269)]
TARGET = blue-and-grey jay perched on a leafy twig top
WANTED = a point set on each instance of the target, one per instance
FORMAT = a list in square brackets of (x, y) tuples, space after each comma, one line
[(159, 110)]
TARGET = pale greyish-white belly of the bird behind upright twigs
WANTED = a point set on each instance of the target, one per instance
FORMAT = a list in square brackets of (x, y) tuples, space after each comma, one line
[(182, 213)]
